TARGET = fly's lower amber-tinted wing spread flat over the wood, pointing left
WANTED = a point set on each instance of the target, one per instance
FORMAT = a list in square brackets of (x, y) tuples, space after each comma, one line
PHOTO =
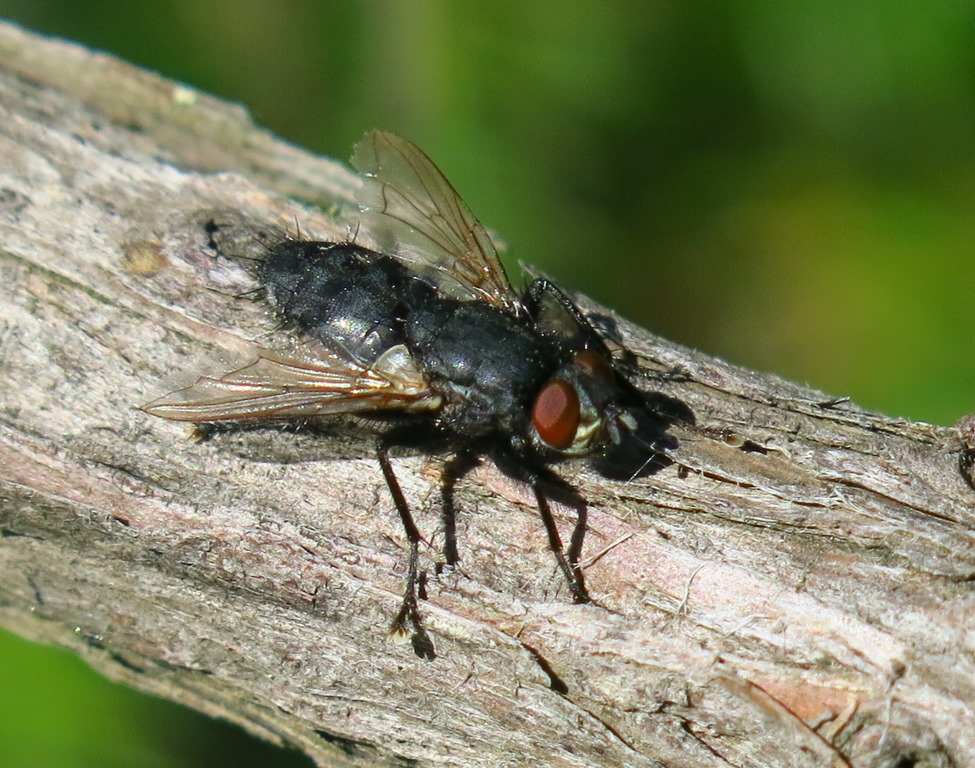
[(282, 387)]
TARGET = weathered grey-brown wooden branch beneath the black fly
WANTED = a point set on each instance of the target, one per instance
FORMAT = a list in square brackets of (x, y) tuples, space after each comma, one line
[(794, 590)]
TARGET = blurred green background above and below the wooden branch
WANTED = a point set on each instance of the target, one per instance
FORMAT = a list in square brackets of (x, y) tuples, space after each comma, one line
[(786, 185)]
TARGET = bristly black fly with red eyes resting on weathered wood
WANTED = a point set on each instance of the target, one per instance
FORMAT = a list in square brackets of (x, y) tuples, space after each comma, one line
[(427, 339)]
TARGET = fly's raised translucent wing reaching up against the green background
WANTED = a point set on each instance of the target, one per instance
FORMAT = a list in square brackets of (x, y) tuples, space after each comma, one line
[(418, 217)]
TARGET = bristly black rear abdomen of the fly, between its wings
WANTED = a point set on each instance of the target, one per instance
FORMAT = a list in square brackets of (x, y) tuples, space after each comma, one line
[(341, 294)]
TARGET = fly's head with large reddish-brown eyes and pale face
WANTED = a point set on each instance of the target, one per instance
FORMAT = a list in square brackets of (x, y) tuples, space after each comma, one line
[(582, 409)]
